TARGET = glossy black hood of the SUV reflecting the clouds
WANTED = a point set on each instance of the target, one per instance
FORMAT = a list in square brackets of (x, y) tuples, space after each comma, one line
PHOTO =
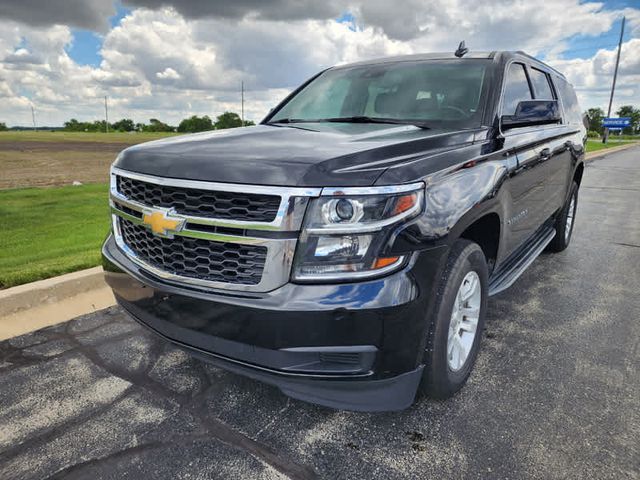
[(309, 155)]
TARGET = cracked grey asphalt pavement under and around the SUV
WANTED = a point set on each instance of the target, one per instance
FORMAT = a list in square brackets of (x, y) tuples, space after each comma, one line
[(555, 393)]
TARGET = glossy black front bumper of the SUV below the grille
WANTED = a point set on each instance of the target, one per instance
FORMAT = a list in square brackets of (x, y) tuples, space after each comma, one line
[(355, 346)]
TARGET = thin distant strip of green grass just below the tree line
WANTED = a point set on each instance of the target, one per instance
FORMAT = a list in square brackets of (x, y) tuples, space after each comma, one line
[(59, 136)]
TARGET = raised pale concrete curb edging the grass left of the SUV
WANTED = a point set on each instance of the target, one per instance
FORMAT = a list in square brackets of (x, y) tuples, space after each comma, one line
[(51, 290)]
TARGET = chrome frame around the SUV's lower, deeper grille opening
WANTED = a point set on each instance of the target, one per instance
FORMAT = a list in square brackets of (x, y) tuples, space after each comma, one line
[(277, 265)]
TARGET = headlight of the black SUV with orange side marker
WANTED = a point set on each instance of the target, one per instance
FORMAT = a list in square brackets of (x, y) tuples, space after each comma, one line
[(346, 231)]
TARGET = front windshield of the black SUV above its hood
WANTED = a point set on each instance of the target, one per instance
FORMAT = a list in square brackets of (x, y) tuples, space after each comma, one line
[(444, 93)]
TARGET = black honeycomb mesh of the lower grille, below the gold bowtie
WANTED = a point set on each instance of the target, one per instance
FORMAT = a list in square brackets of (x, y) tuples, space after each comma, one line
[(196, 258)]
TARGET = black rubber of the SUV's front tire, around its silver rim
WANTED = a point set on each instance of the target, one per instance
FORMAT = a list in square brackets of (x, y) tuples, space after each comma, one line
[(439, 380)]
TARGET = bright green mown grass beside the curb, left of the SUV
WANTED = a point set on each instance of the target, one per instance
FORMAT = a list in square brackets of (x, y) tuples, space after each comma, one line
[(50, 231)]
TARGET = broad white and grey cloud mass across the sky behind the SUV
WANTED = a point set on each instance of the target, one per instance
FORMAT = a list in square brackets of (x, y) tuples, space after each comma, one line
[(170, 63)]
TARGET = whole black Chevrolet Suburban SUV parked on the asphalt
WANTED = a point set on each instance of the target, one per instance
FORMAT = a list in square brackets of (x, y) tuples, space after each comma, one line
[(345, 248)]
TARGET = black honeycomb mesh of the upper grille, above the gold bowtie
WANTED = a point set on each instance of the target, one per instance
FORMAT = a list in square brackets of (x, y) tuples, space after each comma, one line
[(254, 207)]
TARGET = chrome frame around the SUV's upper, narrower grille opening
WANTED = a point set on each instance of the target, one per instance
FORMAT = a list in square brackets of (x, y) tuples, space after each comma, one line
[(293, 200)]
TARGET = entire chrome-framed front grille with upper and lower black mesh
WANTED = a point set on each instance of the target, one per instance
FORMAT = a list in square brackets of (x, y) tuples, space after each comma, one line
[(230, 236)]
